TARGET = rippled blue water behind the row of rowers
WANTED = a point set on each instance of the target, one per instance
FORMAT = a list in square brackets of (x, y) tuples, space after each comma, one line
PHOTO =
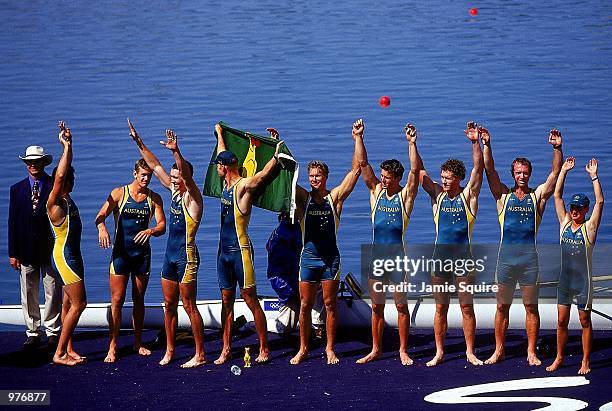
[(309, 69)]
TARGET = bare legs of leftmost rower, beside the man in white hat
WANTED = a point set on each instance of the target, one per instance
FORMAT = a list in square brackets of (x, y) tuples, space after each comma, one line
[(77, 303)]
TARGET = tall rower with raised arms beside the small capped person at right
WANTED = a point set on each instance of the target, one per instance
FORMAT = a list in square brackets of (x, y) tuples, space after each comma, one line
[(520, 210)]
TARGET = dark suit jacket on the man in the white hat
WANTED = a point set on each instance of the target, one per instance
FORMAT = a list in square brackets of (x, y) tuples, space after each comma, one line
[(30, 239)]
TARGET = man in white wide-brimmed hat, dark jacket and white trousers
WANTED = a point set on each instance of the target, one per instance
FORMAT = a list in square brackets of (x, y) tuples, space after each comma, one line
[(30, 245)]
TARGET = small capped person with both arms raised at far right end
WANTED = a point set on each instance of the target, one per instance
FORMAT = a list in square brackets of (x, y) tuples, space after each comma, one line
[(577, 237)]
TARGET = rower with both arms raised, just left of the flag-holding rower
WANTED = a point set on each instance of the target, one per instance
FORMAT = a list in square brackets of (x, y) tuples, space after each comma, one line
[(181, 260)]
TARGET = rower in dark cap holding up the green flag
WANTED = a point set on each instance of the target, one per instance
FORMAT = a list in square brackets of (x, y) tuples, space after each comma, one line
[(235, 255)]
